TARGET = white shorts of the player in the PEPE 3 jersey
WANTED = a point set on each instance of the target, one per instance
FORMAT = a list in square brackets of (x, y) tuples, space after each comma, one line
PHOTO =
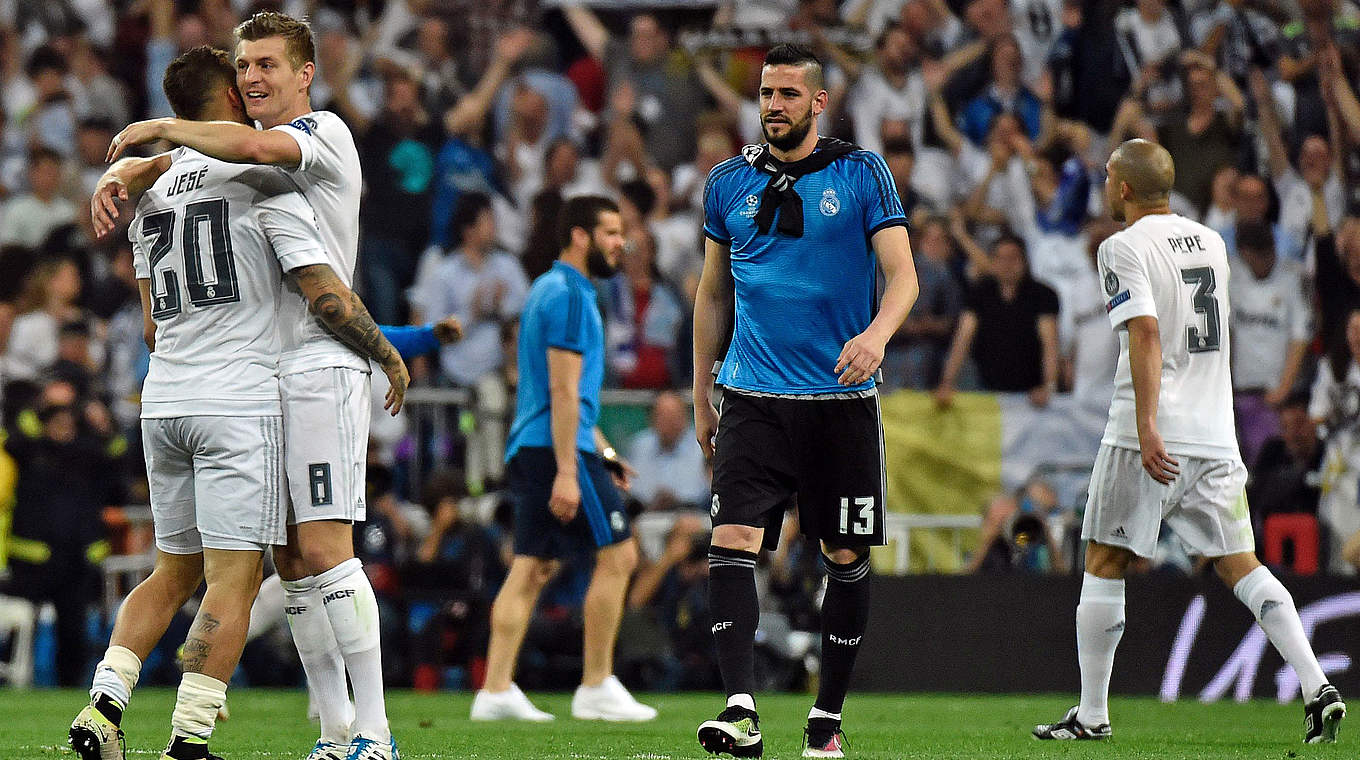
[(1206, 505)]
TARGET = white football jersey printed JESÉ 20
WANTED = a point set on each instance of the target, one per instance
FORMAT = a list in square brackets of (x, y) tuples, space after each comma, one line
[(214, 240)]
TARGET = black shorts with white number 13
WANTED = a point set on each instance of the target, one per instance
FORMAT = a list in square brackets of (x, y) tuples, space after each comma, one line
[(825, 453)]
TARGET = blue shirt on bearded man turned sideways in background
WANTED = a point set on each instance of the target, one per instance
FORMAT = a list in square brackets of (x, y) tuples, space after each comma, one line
[(560, 313)]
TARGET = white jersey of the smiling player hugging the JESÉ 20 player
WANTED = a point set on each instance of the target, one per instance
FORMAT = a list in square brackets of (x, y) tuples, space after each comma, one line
[(331, 180)]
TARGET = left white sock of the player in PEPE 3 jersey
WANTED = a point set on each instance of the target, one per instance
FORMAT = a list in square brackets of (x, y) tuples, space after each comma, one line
[(1100, 630)]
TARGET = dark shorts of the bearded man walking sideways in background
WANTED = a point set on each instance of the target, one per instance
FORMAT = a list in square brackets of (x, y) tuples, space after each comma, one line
[(600, 521)]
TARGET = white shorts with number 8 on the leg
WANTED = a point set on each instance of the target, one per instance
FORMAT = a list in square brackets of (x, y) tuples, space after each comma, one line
[(326, 424)]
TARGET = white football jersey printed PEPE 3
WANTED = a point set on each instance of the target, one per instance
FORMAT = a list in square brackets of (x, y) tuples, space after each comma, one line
[(1176, 270)]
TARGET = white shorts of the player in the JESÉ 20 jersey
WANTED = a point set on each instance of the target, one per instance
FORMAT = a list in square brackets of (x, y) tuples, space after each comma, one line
[(216, 483)]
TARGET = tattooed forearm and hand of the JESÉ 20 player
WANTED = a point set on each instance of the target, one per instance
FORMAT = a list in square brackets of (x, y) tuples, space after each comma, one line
[(347, 319)]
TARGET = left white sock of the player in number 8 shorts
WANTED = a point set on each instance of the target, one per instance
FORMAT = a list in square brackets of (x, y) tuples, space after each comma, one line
[(320, 657)]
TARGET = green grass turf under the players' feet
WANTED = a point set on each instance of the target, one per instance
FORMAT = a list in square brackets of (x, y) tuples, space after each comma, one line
[(271, 725)]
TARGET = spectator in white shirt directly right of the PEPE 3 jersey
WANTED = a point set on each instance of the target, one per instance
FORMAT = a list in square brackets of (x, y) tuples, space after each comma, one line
[(1271, 327)]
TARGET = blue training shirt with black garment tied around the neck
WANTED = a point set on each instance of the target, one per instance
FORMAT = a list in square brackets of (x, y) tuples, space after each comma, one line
[(800, 300)]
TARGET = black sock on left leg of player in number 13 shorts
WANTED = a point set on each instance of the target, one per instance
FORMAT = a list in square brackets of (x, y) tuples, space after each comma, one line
[(735, 611)]
